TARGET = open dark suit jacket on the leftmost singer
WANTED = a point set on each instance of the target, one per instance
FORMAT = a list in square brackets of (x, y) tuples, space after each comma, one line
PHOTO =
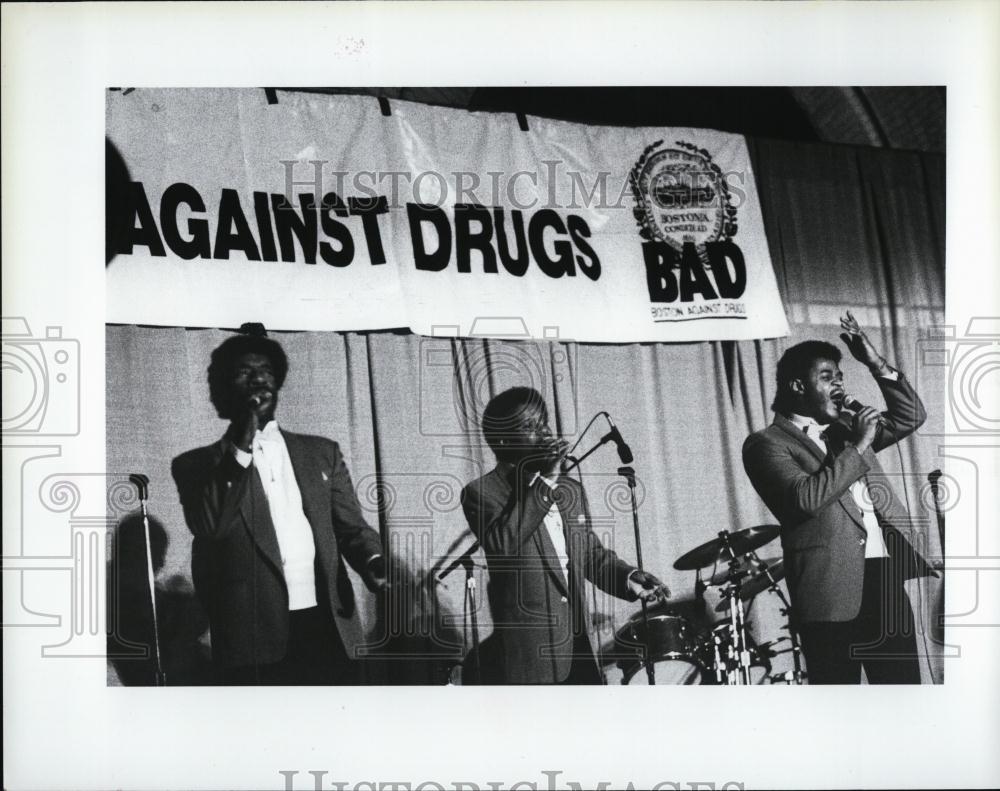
[(236, 562)]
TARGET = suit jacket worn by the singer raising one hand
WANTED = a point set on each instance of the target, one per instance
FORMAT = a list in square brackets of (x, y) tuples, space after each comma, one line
[(822, 532)]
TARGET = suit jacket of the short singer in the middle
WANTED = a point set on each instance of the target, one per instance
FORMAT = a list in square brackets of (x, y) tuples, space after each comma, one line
[(537, 612)]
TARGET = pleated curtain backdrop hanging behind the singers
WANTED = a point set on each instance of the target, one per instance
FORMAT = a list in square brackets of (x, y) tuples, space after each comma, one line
[(847, 227)]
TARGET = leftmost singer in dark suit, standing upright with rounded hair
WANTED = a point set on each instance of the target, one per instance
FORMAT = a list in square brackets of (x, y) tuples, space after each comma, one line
[(274, 517)]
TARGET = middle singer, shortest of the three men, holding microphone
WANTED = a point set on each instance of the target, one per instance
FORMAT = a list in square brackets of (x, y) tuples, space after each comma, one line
[(534, 526)]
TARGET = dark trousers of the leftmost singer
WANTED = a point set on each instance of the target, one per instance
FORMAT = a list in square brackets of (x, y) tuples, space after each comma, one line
[(315, 657)]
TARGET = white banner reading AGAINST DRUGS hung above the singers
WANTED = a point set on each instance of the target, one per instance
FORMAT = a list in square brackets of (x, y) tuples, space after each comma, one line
[(321, 213)]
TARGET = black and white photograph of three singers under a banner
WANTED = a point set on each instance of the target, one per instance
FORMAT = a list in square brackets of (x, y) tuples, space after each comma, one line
[(412, 304)]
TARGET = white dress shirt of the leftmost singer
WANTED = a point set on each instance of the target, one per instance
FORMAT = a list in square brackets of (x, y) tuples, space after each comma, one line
[(269, 455)]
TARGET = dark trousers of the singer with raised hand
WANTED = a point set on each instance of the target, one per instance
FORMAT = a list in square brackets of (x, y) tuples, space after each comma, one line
[(881, 638)]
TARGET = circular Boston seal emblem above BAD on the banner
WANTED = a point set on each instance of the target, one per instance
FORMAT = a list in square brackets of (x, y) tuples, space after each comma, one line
[(681, 196)]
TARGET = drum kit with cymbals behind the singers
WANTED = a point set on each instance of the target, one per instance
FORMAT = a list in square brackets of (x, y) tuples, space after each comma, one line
[(725, 653)]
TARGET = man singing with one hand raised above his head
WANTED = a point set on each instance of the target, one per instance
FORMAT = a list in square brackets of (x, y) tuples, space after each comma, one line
[(842, 527)]
